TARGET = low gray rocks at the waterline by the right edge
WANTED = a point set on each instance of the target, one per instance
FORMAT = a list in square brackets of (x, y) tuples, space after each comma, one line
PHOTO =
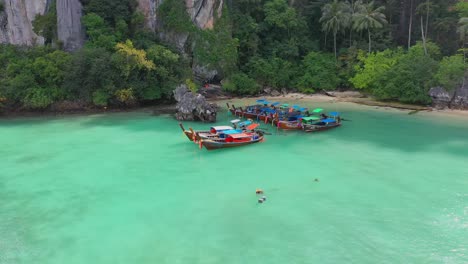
[(456, 99)]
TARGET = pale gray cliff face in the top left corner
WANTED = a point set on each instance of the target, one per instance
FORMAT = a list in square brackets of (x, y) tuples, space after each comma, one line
[(16, 21)]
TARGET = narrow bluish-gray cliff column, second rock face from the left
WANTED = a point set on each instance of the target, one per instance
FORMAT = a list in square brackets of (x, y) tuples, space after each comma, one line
[(70, 30)]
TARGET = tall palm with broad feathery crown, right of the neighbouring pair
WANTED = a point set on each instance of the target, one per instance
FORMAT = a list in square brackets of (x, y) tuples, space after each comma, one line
[(368, 17)]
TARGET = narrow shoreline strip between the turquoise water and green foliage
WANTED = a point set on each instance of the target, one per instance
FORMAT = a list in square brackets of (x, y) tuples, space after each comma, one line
[(354, 98)]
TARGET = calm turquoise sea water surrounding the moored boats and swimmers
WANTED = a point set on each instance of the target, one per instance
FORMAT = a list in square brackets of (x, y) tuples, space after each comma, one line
[(130, 188)]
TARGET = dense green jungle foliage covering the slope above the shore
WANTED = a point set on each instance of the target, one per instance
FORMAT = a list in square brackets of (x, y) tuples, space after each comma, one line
[(394, 50)]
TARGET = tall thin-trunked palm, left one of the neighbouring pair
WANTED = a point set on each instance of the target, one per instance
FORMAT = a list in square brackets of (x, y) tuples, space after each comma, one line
[(336, 16)]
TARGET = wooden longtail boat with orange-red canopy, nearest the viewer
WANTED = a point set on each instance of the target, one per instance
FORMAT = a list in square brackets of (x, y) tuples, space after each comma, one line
[(233, 140)]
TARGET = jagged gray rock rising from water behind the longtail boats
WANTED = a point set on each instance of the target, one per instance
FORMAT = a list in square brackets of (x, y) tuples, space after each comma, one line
[(193, 107)]
